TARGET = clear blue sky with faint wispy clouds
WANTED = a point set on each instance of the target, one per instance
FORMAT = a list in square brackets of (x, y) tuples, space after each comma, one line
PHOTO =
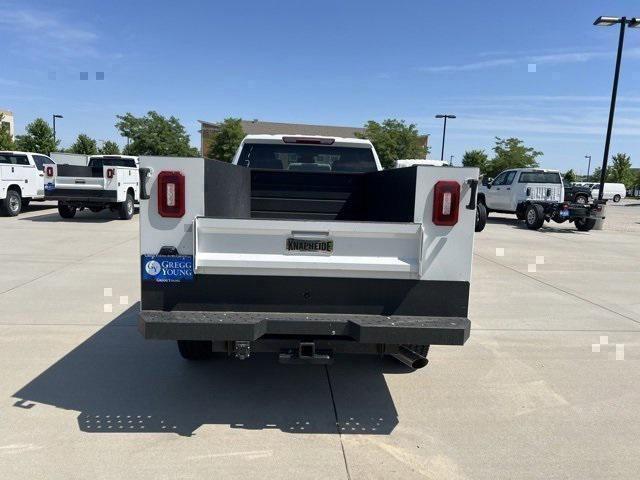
[(331, 62)]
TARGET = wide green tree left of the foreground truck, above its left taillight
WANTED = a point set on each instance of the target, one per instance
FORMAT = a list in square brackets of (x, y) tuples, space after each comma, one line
[(154, 134)]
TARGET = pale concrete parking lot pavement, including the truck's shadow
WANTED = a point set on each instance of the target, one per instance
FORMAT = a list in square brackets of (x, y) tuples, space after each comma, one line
[(548, 385)]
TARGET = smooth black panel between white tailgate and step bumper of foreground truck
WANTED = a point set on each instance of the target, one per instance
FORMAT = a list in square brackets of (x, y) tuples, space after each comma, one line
[(254, 293)]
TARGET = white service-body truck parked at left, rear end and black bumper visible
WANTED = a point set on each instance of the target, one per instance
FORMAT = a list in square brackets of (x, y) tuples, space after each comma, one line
[(108, 181)]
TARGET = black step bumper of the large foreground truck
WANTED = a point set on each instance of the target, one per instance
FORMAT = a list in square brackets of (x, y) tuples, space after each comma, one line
[(252, 326)]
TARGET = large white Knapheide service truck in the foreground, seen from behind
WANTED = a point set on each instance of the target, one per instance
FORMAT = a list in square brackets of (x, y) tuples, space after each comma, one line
[(305, 247)]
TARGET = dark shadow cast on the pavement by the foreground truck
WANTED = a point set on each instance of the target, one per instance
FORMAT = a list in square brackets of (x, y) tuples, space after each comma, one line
[(122, 383)]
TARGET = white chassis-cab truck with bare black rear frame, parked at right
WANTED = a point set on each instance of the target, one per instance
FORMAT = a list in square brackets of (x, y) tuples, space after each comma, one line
[(535, 195)]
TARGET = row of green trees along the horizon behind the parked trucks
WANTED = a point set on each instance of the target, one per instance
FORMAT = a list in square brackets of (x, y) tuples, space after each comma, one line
[(155, 134)]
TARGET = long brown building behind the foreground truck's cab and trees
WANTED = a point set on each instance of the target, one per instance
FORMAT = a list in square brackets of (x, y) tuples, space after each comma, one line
[(257, 127)]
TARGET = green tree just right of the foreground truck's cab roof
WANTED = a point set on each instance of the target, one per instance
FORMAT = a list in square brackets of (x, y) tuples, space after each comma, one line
[(394, 139)]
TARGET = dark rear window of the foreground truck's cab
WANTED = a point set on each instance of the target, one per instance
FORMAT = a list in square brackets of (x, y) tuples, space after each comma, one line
[(307, 158)]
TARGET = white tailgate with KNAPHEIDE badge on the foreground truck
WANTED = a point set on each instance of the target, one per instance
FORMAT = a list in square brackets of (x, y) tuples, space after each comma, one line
[(307, 248)]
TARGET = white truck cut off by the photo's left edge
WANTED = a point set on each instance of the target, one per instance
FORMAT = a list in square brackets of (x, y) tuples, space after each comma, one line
[(21, 180)]
